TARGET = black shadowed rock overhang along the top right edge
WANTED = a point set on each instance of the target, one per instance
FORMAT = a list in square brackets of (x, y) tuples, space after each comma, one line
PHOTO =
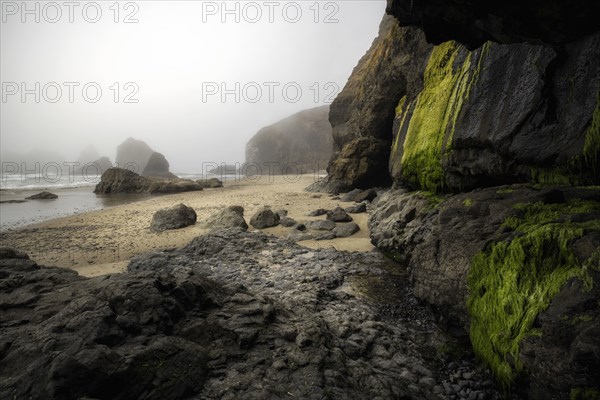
[(555, 22)]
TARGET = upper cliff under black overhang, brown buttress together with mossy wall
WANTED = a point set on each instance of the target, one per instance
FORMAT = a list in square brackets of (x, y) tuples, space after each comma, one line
[(450, 119)]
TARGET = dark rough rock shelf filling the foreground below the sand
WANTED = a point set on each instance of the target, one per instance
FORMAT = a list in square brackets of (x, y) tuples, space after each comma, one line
[(231, 315)]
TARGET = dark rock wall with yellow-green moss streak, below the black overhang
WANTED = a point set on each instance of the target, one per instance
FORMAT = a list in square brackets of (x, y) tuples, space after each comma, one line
[(493, 116)]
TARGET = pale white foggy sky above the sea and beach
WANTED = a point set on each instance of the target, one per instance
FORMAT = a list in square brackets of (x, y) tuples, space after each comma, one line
[(176, 54)]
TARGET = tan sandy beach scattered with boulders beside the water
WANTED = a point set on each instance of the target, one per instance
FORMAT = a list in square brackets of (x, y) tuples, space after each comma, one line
[(103, 241)]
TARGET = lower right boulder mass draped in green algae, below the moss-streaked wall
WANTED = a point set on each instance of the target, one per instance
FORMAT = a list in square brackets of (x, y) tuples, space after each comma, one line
[(516, 267)]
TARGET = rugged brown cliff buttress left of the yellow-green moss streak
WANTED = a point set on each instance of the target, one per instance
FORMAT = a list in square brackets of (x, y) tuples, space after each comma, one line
[(362, 114)]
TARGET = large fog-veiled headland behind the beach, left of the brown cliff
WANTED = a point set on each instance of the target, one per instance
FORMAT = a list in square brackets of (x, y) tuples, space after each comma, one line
[(300, 143)]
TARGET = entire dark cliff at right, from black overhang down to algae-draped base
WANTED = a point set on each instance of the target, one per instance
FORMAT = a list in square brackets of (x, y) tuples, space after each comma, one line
[(458, 98)]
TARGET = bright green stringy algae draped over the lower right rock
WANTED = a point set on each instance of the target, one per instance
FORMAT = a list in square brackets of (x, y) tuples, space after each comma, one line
[(511, 282)]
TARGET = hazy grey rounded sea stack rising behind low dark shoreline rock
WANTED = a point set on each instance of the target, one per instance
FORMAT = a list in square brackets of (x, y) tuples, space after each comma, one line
[(136, 154)]
